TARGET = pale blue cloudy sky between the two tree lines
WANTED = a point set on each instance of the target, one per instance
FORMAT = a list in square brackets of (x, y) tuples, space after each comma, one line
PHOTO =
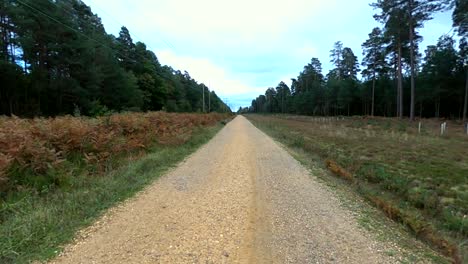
[(240, 48)]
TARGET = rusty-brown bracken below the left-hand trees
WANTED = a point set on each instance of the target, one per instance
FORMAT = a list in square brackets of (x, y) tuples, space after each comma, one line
[(33, 150)]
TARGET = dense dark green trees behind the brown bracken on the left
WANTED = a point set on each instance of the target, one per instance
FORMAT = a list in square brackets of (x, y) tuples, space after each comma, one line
[(56, 58)]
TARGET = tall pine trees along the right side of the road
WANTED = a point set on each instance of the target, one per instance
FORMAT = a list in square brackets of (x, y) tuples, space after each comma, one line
[(396, 80)]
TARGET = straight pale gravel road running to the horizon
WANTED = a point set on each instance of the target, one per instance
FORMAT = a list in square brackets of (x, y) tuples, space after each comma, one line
[(241, 198)]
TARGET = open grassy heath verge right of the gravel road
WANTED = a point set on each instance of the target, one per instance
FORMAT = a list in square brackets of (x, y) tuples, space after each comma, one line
[(390, 171)]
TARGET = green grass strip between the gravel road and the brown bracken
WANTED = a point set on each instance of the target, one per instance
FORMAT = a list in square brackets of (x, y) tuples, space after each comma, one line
[(36, 224)]
